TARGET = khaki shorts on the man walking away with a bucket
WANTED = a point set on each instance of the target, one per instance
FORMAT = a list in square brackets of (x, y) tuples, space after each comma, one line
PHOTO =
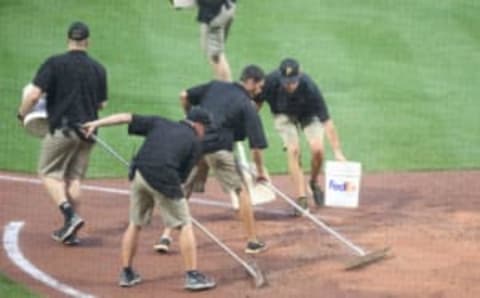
[(64, 157)]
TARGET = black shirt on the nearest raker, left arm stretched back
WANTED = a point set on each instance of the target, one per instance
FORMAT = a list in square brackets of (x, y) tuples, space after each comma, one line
[(168, 154)]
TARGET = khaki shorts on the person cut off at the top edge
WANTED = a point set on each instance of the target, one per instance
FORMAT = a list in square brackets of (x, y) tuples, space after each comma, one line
[(214, 34)]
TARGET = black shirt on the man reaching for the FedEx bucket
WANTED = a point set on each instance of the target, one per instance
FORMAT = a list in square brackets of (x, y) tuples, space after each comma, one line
[(306, 101)]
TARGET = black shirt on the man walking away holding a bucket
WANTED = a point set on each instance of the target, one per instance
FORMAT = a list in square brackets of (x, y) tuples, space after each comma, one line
[(75, 84)]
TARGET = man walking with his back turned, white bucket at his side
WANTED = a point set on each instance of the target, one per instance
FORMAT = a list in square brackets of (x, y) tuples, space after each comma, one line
[(76, 88)]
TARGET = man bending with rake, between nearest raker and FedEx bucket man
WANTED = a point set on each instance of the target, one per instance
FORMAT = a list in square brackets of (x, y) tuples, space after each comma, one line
[(234, 119)]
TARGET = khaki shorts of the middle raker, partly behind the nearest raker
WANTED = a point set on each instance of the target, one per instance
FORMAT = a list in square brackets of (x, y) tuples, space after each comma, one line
[(224, 168)]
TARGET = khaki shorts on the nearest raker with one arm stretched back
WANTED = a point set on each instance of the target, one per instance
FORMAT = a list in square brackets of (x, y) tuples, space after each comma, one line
[(174, 212)]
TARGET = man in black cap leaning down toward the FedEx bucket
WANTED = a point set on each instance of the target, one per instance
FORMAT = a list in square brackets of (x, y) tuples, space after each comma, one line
[(297, 104)]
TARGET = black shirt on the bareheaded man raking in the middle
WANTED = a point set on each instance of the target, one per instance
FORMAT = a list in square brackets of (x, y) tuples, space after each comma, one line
[(234, 116)]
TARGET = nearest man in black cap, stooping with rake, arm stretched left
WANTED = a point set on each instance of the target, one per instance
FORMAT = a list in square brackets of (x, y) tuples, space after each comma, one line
[(162, 164)]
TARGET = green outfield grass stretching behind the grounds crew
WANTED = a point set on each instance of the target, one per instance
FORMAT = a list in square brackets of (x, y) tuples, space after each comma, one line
[(400, 77)]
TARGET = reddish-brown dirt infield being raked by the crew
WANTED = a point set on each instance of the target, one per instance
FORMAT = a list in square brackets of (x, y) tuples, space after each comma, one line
[(431, 221)]
